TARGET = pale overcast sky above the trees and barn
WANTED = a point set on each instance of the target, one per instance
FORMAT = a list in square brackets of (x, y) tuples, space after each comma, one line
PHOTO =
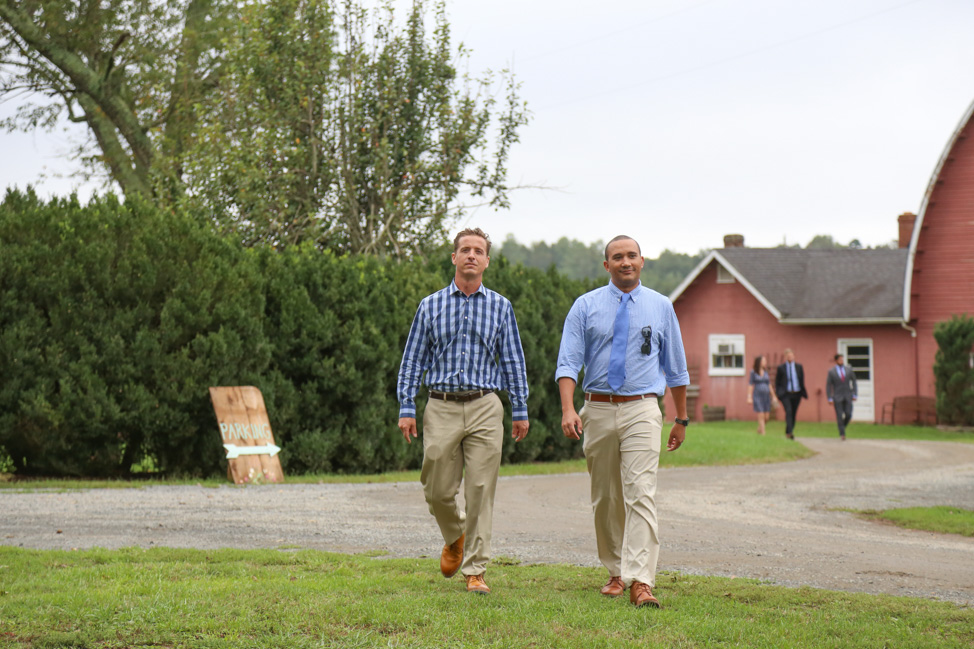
[(679, 121)]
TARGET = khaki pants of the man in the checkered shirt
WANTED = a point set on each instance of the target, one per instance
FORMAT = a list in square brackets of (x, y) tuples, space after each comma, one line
[(457, 437)]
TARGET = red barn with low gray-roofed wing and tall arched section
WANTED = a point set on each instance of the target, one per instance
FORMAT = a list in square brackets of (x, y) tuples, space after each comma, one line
[(877, 307)]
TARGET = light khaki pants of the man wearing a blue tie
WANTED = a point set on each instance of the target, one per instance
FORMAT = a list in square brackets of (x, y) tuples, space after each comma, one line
[(622, 446)]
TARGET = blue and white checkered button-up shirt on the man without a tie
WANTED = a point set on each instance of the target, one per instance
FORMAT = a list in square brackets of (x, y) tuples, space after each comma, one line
[(464, 343)]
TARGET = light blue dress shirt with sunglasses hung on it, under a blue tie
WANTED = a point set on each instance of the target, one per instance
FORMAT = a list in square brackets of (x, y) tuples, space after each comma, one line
[(587, 341)]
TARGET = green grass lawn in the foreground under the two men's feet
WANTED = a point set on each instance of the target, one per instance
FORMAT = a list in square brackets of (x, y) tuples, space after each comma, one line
[(273, 598)]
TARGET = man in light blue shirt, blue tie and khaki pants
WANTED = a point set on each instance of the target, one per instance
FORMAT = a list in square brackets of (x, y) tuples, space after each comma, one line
[(627, 339)]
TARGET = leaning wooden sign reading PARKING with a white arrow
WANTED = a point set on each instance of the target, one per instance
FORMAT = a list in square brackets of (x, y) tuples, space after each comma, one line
[(246, 433)]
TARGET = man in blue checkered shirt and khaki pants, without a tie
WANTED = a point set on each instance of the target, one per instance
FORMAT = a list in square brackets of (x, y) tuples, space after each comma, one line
[(464, 338)]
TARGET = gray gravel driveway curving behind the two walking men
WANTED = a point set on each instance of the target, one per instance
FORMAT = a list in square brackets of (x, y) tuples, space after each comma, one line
[(776, 522)]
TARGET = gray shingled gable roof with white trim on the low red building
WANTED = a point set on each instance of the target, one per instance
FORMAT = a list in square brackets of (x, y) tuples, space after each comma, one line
[(816, 286)]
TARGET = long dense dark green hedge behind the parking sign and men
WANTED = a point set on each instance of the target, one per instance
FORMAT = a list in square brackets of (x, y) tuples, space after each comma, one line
[(116, 318)]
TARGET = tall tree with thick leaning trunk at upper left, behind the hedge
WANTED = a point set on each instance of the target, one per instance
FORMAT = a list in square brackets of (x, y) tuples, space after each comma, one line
[(130, 70)]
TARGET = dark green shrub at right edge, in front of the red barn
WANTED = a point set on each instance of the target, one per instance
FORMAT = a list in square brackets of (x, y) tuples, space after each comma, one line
[(953, 370)]
